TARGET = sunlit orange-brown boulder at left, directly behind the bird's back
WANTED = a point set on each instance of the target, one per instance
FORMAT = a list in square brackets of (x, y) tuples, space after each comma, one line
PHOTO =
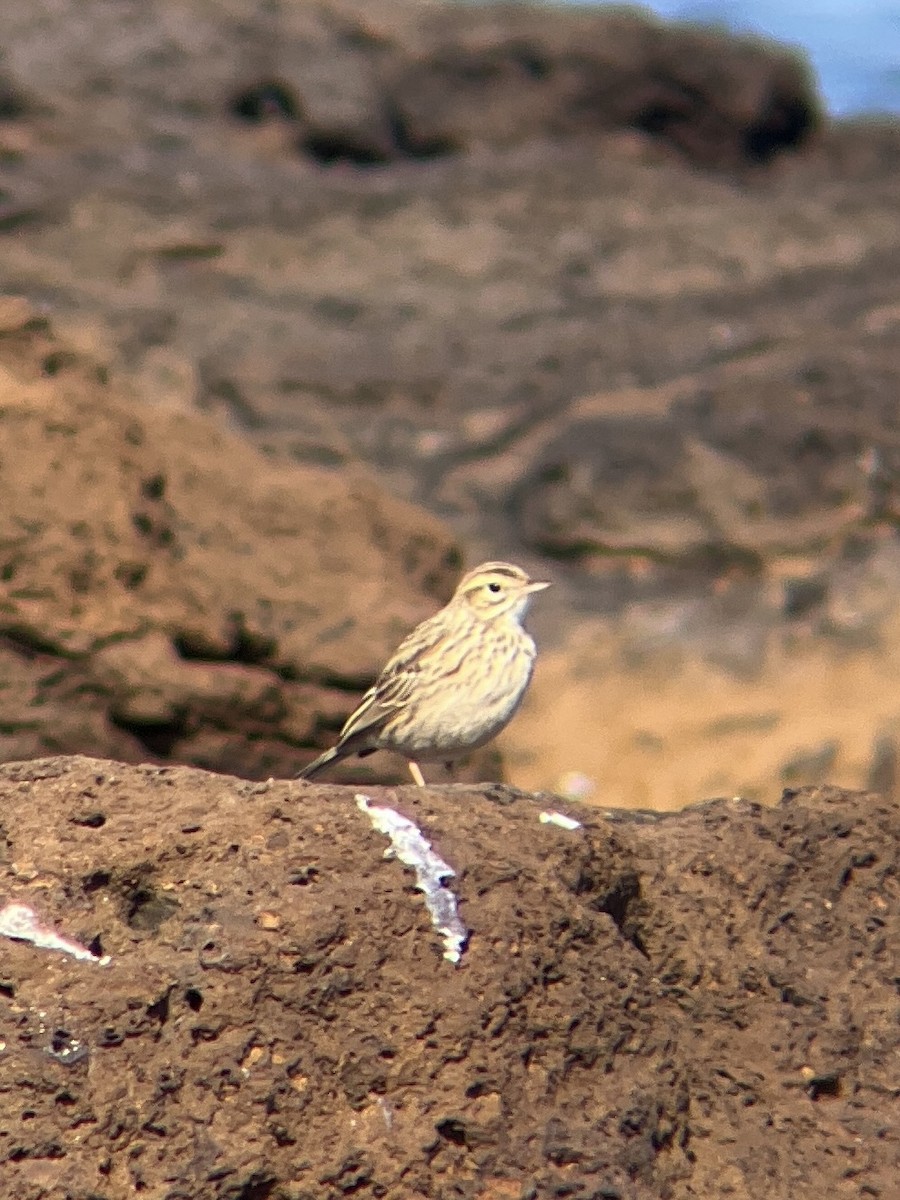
[(167, 591)]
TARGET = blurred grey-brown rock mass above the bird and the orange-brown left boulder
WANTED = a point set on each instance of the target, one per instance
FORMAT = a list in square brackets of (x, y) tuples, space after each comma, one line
[(560, 323)]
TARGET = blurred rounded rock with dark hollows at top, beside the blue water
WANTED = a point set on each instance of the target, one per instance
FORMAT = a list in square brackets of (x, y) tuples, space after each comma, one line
[(509, 75)]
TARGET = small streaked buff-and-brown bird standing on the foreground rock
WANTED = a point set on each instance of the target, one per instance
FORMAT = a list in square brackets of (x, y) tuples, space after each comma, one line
[(454, 682)]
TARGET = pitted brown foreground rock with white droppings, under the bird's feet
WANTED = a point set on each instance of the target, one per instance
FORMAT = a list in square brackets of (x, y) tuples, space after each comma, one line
[(683, 1007)]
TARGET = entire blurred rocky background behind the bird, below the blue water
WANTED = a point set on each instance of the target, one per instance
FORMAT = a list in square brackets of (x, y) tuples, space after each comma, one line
[(308, 305)]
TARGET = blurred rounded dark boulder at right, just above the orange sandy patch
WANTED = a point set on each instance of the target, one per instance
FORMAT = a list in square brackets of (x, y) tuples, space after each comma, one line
[(735, 478)]
